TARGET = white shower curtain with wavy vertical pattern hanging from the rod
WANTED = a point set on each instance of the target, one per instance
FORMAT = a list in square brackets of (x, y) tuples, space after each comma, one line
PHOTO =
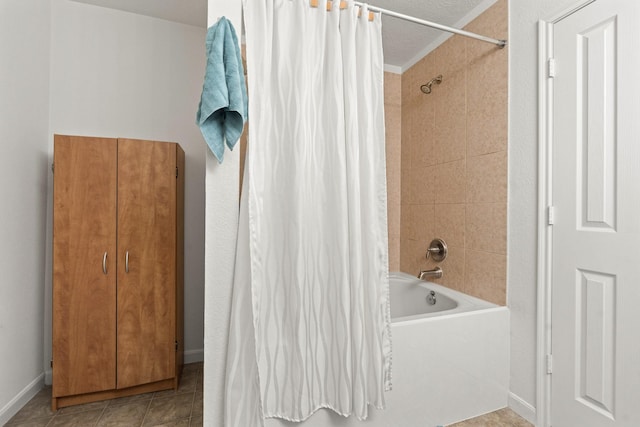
[(310, 323)]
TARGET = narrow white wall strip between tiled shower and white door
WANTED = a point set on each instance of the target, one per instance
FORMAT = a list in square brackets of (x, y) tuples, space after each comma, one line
[(523, 193)]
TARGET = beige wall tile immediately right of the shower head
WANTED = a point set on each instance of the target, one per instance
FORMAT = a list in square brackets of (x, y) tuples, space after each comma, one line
[(450, 124)]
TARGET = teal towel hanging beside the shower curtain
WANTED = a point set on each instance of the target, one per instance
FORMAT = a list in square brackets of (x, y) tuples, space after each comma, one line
[(223, 107)]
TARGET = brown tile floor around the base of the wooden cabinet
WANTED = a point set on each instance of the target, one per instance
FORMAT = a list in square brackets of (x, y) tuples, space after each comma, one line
[(169, 408)]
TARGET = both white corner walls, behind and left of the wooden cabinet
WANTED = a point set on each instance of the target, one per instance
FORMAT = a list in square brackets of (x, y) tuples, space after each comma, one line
[(78, 69)]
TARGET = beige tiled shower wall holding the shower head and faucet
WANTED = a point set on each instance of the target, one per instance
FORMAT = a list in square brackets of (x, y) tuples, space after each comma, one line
[(454, 161)]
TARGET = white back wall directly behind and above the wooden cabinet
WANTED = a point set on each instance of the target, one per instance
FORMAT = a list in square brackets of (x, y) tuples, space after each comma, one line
[(118, 74)]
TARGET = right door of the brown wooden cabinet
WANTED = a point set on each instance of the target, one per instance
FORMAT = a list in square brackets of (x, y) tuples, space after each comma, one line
[(146, 261)]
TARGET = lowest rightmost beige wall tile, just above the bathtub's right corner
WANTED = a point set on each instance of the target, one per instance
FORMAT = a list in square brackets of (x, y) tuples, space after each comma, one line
[(485, 276)]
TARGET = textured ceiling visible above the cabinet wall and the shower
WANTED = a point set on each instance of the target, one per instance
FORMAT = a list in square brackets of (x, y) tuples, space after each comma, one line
[(404, 42)]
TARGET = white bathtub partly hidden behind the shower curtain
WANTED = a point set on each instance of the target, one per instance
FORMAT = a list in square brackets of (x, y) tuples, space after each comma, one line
[(450, 359)]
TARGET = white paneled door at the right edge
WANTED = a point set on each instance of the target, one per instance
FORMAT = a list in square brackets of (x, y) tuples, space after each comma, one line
[(596, 236)]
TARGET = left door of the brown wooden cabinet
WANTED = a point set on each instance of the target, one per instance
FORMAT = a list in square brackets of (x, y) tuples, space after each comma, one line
[(84, 265)]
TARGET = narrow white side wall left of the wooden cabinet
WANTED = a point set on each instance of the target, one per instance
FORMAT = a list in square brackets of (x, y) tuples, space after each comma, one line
[(24, 121)]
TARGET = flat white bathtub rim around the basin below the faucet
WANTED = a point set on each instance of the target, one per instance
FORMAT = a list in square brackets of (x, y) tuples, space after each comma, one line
[(467, 304)]
